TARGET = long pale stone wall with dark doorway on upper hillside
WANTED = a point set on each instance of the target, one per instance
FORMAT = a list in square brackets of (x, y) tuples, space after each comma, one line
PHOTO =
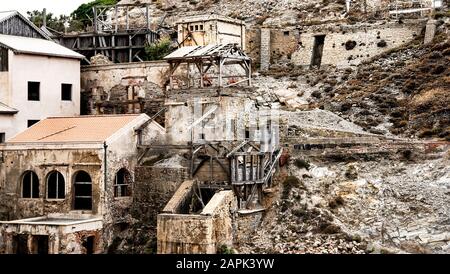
[(295, 45)]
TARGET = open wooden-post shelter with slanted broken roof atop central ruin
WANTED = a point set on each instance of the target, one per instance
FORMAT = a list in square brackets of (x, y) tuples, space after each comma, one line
[(211, 66)]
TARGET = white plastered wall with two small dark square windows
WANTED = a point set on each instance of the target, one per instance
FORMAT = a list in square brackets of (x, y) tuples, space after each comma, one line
[(51, 72)]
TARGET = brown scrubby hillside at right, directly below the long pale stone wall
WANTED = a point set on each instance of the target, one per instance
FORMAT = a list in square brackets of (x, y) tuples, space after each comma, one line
[(403, 92)]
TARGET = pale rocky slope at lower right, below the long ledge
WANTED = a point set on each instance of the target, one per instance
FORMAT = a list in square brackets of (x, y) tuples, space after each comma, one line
[(387, 207)]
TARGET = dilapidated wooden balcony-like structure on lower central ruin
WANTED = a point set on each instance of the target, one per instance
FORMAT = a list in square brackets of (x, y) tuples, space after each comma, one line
[(248, 165)]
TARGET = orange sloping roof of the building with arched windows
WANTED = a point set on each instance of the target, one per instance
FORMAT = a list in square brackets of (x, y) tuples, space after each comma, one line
[(74, 129)]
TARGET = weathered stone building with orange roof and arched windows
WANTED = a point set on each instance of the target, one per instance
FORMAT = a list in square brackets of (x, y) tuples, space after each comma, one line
[(66, 182)]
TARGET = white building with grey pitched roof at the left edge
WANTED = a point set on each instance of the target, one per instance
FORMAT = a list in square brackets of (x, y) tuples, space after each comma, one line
[(38, 77)]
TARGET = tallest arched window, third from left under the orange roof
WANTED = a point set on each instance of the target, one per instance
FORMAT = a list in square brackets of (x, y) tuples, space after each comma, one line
[(82, 191)]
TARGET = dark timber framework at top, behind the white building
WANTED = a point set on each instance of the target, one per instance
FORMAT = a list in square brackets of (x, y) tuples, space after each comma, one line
[(114, 34)]
